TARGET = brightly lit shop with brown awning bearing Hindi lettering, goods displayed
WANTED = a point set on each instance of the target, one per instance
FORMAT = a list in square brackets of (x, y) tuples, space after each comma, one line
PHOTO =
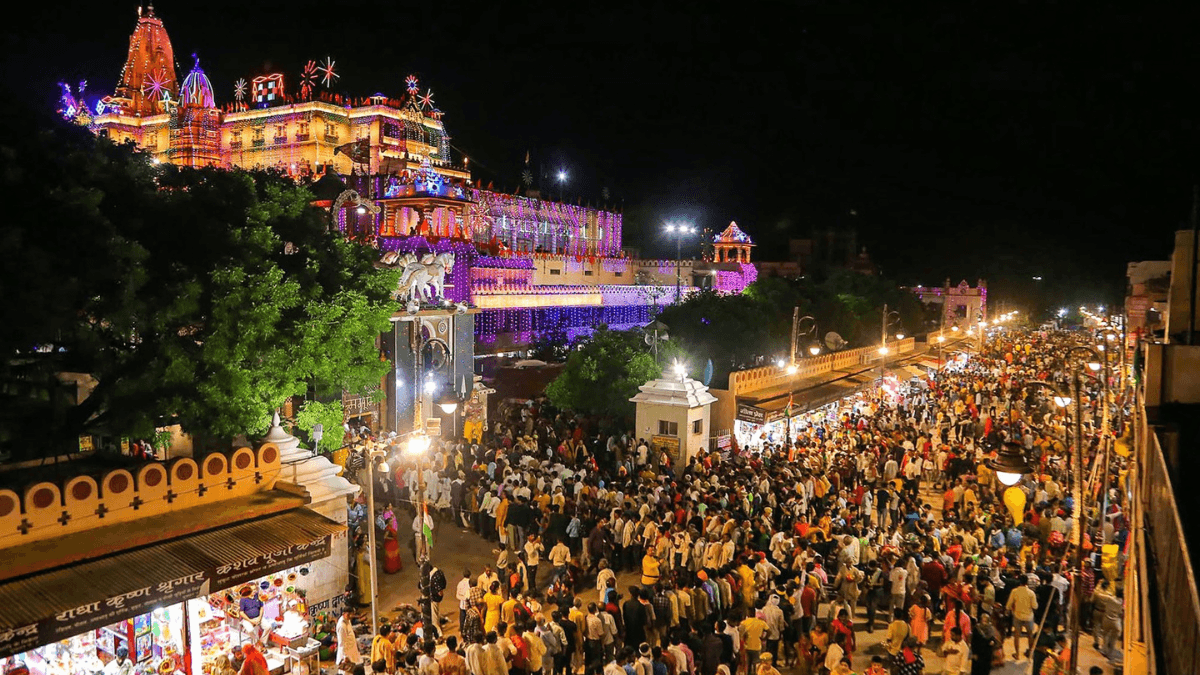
[(175, 608)]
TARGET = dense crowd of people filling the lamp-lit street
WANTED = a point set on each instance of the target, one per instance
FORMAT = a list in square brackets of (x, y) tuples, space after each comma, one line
[(880, 515)]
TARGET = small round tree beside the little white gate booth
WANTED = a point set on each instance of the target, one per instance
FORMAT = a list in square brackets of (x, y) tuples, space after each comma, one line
[(604, 373)]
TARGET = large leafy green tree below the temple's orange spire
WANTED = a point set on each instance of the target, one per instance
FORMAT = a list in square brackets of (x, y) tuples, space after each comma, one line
[(199, 297)]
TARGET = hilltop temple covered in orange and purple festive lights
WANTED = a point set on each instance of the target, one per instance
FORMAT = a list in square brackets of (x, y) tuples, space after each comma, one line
[(531, 266)]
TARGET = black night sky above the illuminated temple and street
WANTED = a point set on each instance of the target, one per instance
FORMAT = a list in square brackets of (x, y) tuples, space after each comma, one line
[(979, 140)]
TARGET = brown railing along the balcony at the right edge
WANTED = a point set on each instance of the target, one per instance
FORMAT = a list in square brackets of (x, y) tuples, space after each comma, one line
[(1173, 578)]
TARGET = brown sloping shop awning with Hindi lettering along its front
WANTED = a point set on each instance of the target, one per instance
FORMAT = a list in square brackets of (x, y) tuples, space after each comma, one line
[(53, 606)]
